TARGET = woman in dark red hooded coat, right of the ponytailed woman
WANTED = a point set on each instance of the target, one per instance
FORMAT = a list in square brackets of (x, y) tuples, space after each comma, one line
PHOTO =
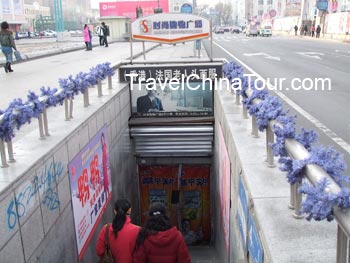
[(158, 241)]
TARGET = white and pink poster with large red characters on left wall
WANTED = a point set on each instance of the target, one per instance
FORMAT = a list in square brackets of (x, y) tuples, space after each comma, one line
[(91, 187)]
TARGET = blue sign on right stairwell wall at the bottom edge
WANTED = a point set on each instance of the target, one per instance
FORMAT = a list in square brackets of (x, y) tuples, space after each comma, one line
[(254, 245)]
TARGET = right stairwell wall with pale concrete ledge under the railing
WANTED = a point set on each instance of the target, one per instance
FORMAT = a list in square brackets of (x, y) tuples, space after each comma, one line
[(284, 238)]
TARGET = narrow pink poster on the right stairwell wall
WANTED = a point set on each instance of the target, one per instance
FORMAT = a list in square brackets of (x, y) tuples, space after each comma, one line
[(224, 178)]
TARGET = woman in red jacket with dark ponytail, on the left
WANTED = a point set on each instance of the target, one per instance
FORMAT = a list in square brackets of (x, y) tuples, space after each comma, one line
[(122, 234)]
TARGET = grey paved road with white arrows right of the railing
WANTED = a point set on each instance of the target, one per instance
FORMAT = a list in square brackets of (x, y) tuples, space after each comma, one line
[(295, 57)]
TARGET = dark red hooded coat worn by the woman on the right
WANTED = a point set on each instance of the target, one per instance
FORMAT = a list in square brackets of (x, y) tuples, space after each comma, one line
[(166, 246)]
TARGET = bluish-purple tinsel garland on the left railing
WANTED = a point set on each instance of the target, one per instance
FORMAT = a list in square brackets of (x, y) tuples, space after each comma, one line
[(19, 113)]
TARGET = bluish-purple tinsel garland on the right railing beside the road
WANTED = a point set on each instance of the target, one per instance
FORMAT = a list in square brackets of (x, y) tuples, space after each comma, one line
[(319, 202)]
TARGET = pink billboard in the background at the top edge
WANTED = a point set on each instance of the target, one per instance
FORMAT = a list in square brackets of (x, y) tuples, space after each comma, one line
[(128, 8)]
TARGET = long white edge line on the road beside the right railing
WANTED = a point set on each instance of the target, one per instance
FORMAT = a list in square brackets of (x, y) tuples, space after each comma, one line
[(332, 135)]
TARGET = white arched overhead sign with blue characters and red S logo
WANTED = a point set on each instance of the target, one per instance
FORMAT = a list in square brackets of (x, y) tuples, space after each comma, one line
[(170, 28)]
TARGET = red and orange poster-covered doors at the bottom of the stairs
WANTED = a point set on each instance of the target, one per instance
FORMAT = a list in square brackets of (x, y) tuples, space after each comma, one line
[(185, 191)]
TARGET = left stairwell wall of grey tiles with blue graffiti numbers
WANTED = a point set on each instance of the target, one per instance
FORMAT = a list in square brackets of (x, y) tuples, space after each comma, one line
[(36, 216)]
